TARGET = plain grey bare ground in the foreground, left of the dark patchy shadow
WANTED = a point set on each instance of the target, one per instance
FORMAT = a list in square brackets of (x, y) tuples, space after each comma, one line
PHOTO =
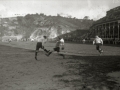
[(20, 71)]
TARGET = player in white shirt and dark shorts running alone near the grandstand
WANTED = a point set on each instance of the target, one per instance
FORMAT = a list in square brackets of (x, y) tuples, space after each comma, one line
[(98, 42)]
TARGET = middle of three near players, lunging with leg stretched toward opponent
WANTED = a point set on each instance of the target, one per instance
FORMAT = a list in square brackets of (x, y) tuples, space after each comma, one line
[(59, 45)]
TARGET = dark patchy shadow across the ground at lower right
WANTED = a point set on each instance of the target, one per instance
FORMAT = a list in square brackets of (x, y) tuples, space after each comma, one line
[(91, 72)]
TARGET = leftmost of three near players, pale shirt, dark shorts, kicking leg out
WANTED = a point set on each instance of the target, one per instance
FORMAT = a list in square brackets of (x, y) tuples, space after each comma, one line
[(40, 44)]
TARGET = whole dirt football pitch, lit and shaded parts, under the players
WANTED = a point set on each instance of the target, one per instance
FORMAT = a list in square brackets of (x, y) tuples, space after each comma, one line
[(88, 71)]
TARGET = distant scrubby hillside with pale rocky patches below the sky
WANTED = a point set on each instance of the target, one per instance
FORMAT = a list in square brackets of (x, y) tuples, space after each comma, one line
[(34, 25)]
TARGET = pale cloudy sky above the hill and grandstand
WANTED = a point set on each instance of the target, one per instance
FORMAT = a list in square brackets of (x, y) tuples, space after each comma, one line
[(95, 9)]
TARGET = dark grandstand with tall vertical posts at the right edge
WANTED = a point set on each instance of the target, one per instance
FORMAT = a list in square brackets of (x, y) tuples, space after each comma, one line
[(107, 27)]
